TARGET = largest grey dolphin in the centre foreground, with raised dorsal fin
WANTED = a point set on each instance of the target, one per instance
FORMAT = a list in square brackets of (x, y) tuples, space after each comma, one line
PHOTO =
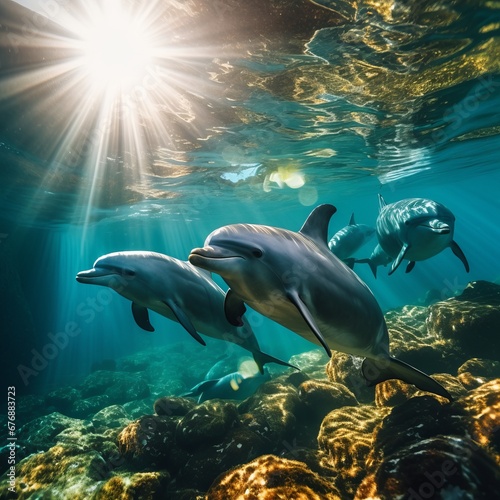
[(294, 279)]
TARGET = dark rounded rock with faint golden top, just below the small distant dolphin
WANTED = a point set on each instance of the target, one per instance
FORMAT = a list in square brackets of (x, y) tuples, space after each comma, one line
[(206, 424)]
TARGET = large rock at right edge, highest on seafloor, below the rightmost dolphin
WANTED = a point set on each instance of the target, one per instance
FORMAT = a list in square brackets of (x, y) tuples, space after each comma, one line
[(469, 322)]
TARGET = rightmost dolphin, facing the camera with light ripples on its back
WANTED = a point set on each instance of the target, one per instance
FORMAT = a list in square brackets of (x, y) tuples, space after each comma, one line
[(416, 229)]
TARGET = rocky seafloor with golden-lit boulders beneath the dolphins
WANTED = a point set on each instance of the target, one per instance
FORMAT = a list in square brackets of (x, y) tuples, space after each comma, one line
[(124, 433)]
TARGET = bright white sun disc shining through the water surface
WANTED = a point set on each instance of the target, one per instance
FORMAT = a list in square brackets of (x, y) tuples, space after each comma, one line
[(116, 47)]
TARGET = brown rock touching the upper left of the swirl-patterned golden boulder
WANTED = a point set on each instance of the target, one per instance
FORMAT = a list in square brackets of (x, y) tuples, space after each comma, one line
[(320, 398)]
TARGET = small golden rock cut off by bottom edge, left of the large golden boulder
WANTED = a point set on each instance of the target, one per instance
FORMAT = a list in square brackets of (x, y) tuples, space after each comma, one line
[(141, 485)]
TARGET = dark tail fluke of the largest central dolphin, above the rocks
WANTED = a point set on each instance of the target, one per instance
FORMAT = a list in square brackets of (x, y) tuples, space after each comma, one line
[(378, 370)]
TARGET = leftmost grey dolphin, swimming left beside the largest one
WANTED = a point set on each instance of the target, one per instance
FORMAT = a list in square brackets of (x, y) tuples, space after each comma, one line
[(175, 289)]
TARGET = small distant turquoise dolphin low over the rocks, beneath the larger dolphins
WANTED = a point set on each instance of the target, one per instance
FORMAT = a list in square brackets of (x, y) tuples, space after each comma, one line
[(235, 385)]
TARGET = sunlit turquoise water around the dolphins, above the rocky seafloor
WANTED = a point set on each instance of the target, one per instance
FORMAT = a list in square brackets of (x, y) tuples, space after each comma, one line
[(259, 128)]
